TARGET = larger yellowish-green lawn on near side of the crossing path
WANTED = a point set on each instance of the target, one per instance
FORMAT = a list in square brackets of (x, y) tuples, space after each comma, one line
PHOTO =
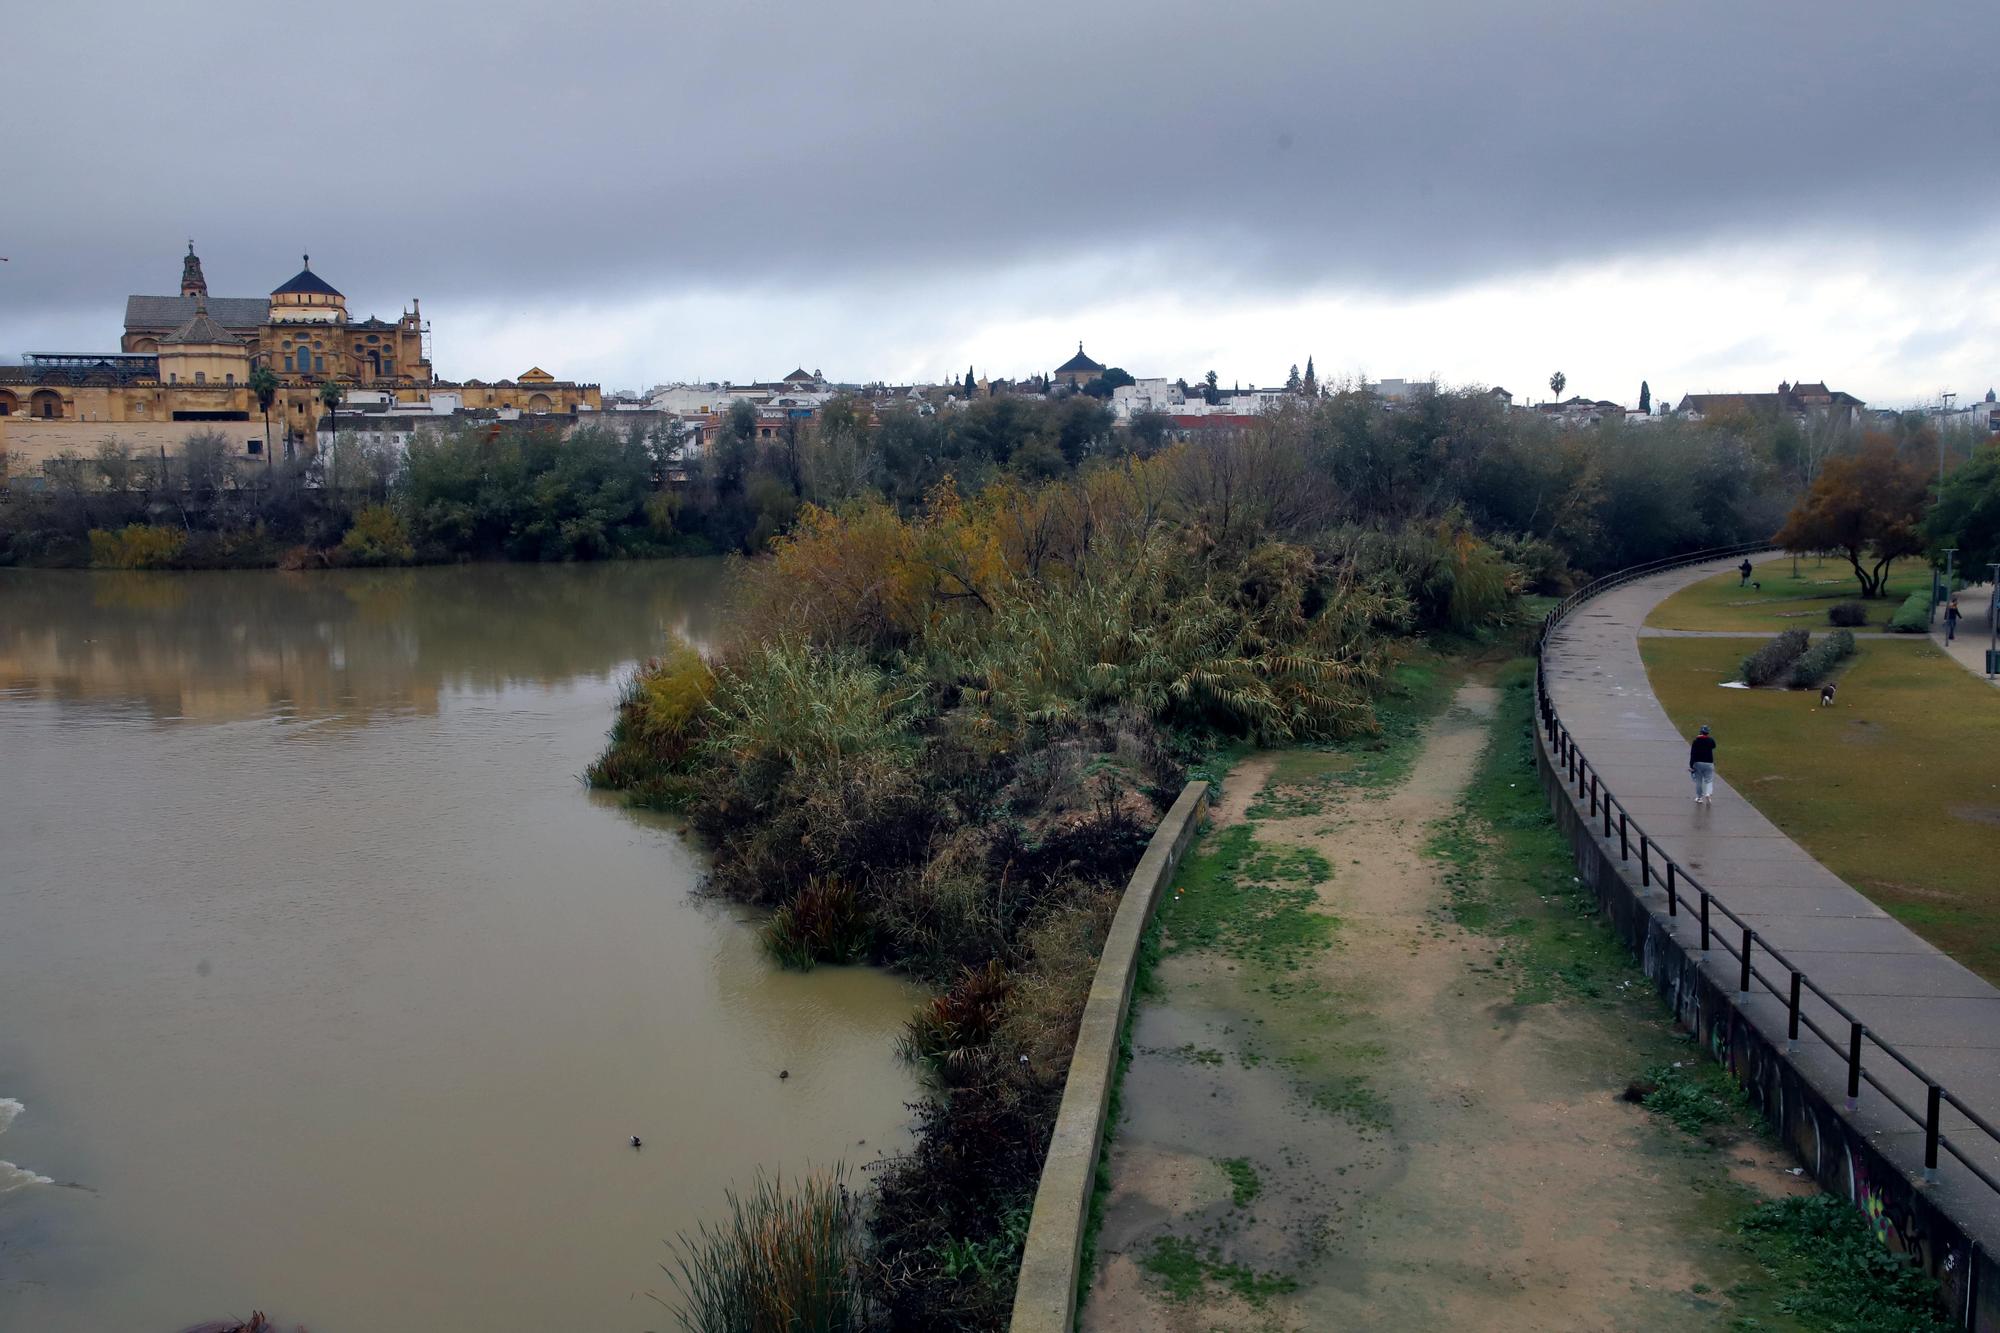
[(1897, 790)]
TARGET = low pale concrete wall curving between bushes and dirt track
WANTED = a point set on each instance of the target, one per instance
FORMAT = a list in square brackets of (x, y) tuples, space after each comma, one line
[(1045, 1298)]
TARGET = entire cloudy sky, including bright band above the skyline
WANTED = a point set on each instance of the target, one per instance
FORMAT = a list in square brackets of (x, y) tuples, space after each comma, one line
[(1707, 195)]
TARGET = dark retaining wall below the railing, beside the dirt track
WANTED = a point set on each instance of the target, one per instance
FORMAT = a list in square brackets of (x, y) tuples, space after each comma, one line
[(1869, 1160)]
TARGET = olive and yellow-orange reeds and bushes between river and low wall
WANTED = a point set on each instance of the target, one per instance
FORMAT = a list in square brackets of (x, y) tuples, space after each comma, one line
[(951, 738)]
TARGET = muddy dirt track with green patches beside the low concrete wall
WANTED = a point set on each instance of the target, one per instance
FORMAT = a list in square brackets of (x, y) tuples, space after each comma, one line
[(1373, 1132)]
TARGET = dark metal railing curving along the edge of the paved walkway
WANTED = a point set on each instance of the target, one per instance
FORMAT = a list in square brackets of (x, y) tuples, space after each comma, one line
[(1739, 940)]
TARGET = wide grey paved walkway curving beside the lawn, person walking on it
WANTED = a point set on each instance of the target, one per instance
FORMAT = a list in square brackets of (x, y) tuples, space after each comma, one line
[(1933, 1010)]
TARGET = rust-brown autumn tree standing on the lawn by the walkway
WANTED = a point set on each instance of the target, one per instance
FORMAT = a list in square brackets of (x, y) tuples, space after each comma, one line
[(1869, 507)]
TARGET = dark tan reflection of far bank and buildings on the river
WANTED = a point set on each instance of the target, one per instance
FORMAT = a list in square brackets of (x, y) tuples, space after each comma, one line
[(337, 645)]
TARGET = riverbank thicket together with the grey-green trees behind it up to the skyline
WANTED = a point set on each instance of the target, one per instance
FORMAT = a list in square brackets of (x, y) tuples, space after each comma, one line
[(943, 724)]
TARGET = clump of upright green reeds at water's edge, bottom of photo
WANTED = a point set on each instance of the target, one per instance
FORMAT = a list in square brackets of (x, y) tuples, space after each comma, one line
[(781, 1260)]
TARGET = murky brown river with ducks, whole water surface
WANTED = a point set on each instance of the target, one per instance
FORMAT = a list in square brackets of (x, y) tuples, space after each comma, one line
[(325, 986)]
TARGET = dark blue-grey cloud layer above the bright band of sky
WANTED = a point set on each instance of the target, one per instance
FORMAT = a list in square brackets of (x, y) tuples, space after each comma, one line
[(597, 151)]
